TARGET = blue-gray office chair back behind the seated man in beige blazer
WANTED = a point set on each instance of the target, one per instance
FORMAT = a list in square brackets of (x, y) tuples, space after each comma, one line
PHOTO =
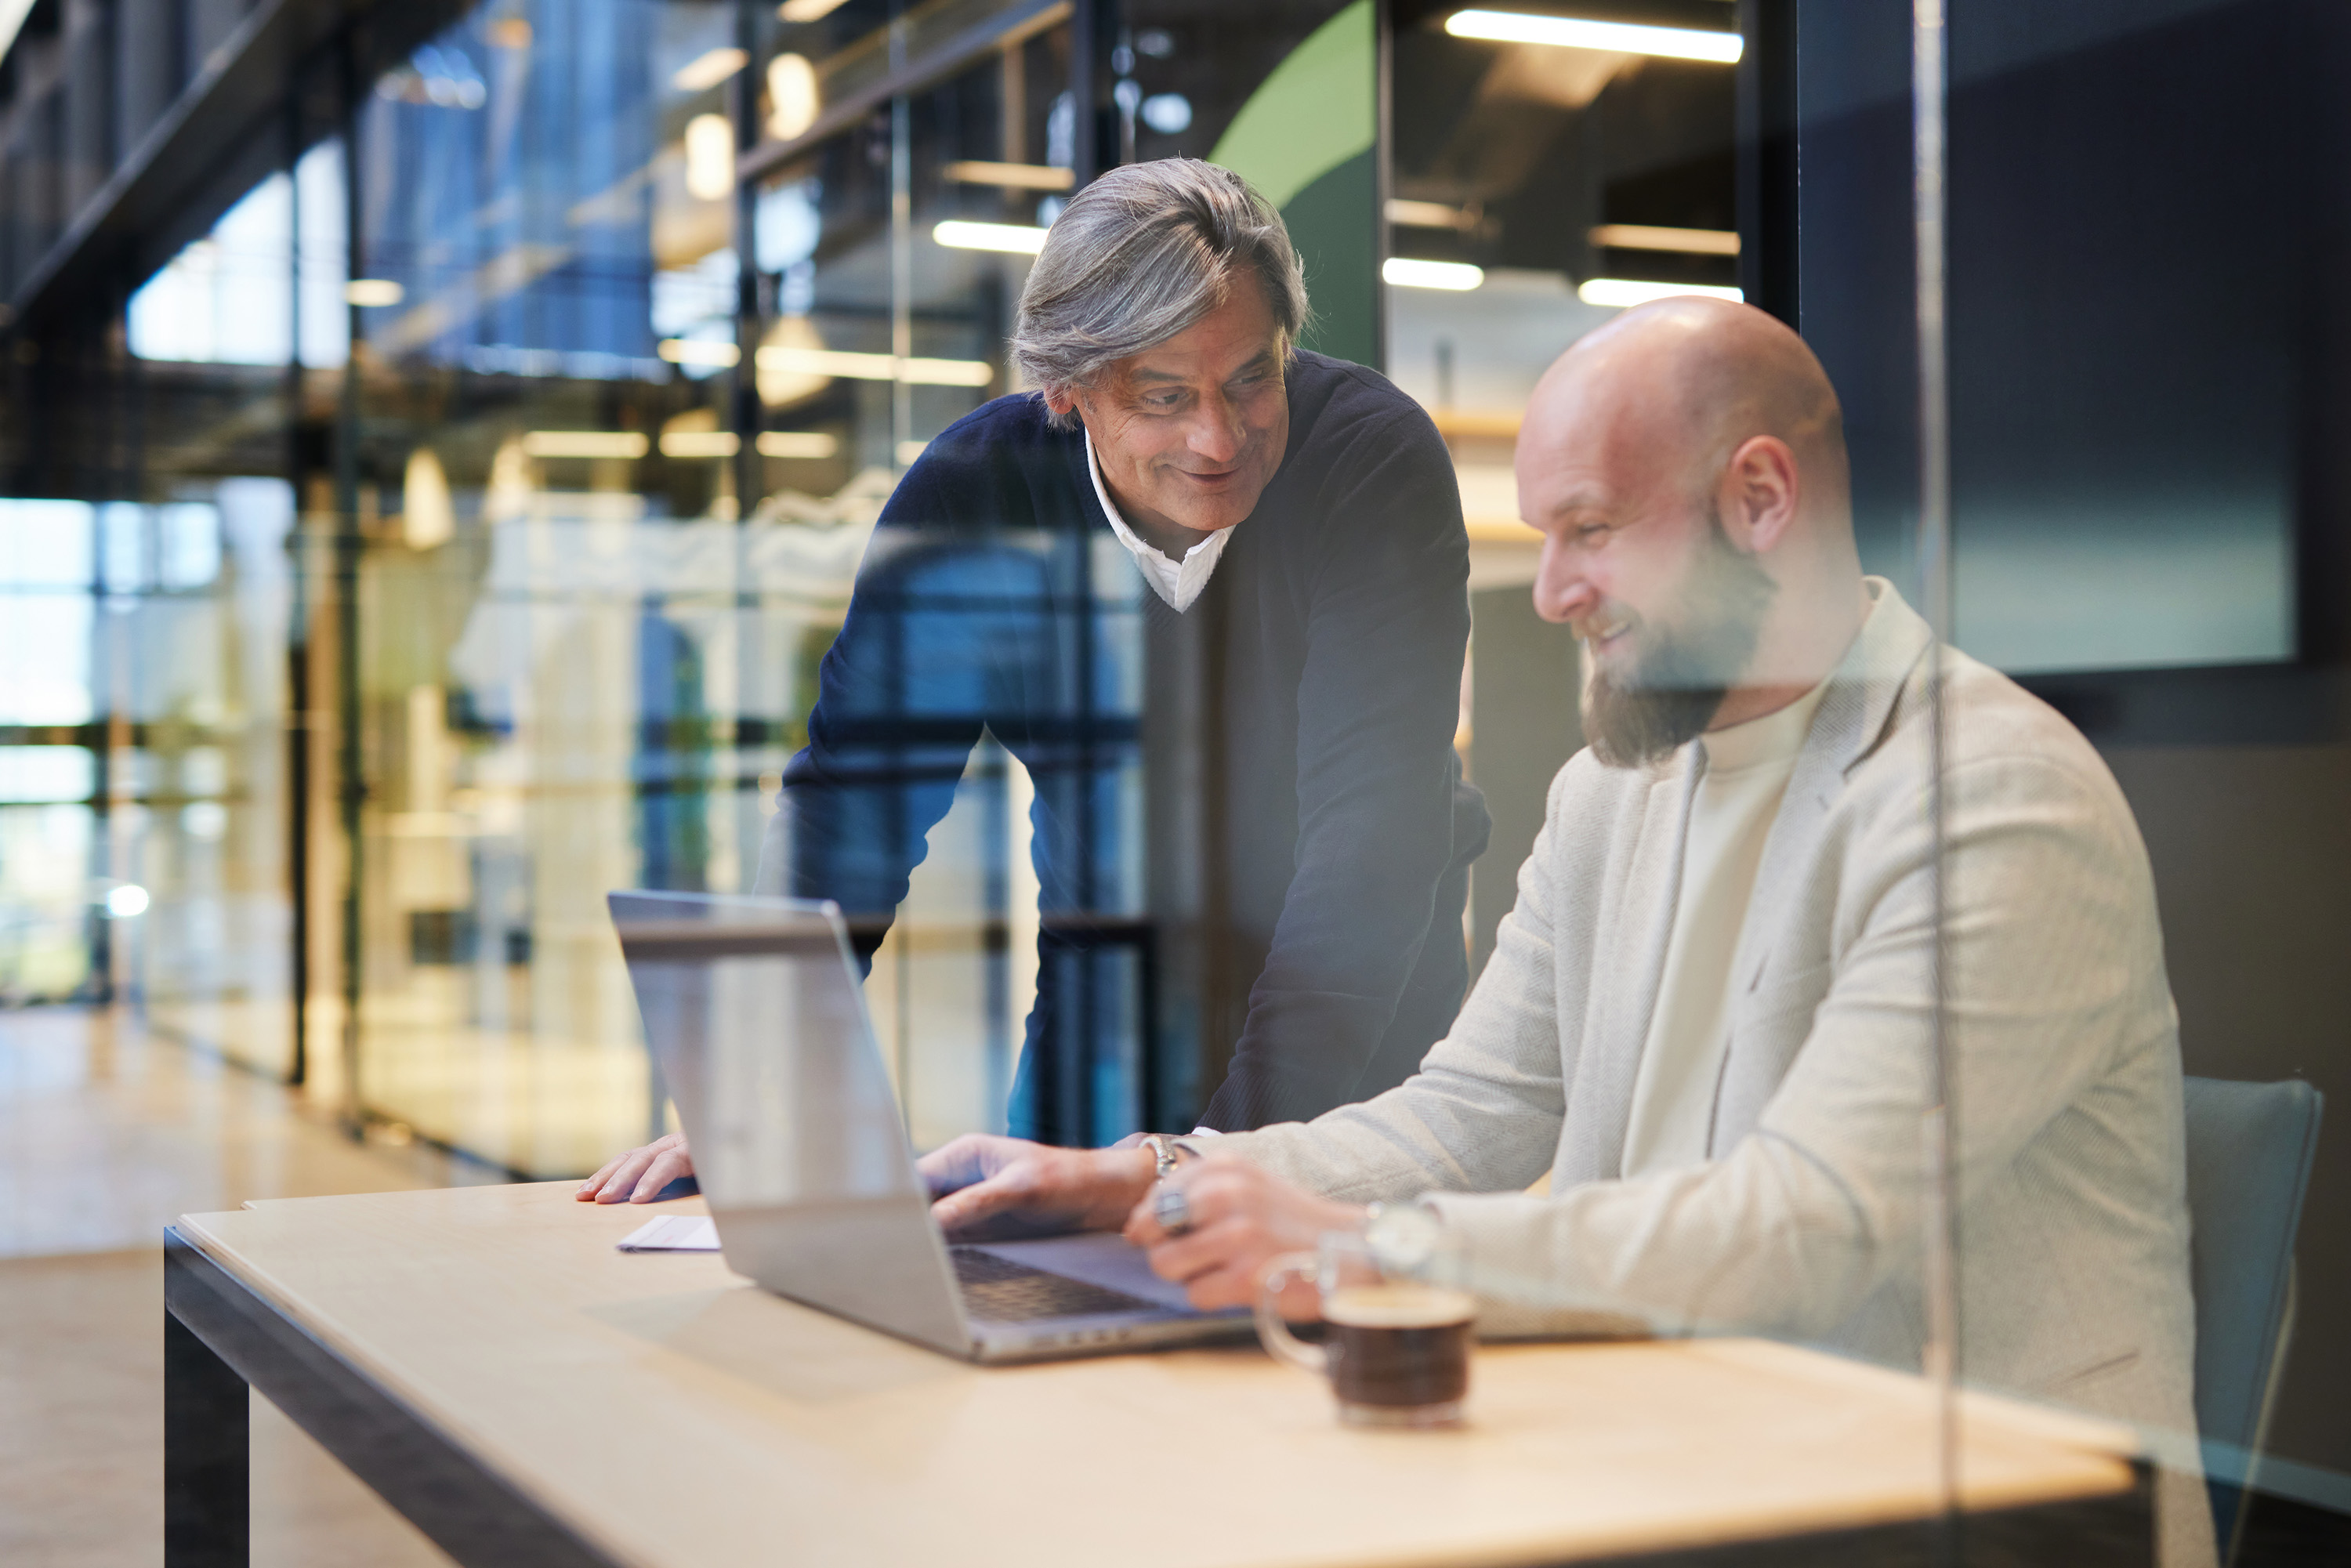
[(2249, 1167)]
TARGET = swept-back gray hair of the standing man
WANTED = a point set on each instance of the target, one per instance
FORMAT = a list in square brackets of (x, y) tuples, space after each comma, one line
[(1139, 257)]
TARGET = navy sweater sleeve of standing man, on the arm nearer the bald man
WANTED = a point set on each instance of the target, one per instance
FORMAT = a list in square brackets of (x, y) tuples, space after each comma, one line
[(1379, 702)]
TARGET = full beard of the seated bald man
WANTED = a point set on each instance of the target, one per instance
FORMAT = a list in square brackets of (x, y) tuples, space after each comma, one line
[(1680, 685)]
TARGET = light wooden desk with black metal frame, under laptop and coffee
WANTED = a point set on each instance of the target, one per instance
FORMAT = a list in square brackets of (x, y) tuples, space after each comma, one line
[(528, 1395)]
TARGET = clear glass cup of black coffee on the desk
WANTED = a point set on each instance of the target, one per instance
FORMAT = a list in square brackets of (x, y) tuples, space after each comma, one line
[(1395, 1351)]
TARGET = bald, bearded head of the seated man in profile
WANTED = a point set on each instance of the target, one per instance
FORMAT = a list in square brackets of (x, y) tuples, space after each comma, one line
[(1687, 467)]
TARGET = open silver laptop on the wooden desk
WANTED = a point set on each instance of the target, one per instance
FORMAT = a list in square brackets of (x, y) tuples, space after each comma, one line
[(758, 1021)]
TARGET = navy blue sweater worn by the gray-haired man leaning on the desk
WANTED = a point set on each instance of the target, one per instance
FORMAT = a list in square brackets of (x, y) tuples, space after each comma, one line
[(1304, 831)]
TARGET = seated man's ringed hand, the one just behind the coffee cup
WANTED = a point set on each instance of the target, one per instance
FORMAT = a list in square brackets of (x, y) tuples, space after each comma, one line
[(1243, 1219)]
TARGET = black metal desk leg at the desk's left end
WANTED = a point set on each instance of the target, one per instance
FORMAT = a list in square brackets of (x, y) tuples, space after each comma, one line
[(206, 1454)]
